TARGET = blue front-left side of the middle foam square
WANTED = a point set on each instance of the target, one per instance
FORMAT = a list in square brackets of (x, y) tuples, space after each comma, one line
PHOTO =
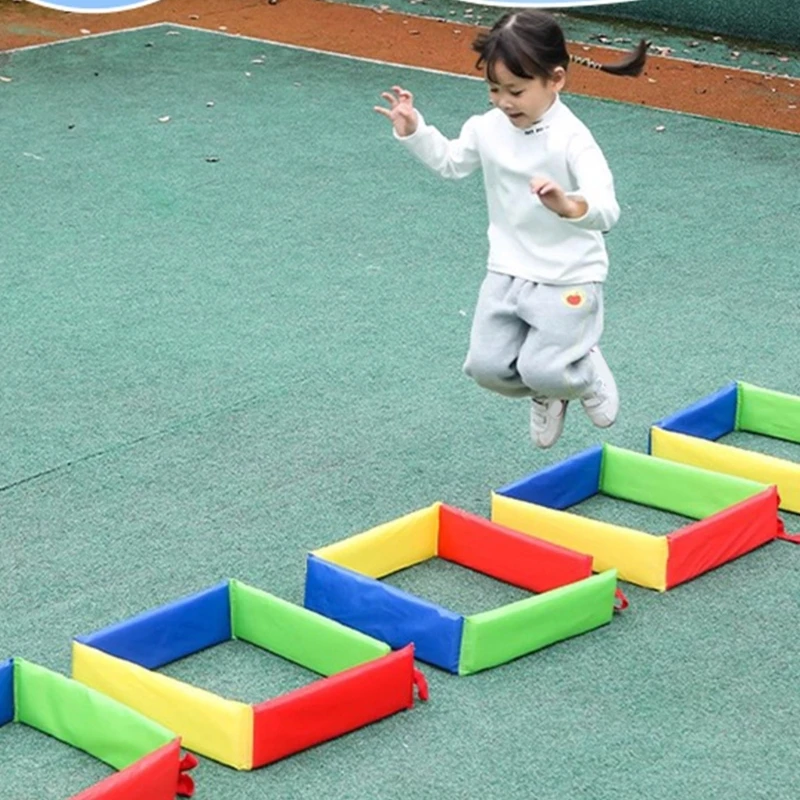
[(384, 612)]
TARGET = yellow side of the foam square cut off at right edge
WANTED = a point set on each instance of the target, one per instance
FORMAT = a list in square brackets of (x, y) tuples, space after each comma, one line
[(730, 461)]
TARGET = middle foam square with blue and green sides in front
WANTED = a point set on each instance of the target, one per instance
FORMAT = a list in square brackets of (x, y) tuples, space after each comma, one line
[(342, 583)]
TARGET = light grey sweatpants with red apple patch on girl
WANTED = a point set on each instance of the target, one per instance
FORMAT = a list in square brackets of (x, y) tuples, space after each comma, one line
[(531, 339)]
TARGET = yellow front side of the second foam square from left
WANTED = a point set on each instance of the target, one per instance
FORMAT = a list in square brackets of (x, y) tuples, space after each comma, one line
[(210, 725)]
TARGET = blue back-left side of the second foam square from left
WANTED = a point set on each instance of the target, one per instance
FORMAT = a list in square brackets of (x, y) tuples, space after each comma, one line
[(170, 632)]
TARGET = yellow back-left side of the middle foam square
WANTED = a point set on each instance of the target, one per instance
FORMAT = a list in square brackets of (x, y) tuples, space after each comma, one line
[(389, 547)]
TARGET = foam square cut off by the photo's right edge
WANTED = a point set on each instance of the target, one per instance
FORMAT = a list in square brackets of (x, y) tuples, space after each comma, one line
[(690, 435)]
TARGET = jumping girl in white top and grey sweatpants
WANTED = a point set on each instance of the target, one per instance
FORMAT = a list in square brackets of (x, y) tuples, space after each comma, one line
[(550, 197)]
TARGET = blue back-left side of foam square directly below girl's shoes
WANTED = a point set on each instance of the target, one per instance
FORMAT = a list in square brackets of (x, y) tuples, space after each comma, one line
[(562, 485)]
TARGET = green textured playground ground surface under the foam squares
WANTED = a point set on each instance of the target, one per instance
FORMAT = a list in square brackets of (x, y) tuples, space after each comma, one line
[(237, 335)]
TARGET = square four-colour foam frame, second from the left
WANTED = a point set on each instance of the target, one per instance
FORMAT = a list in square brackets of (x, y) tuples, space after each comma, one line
[(363, 680)]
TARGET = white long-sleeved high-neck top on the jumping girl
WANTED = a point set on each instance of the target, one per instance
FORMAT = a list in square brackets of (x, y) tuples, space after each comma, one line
[(526, 239)]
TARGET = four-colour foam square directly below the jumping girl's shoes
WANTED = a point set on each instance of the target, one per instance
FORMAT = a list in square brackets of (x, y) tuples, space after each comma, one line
[(734, 515)]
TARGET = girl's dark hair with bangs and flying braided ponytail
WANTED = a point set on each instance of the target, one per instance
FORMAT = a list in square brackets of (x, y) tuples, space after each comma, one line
[(531, 44)]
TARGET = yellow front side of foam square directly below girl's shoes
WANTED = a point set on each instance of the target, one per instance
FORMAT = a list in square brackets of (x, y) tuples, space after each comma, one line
[(638, 557)]
